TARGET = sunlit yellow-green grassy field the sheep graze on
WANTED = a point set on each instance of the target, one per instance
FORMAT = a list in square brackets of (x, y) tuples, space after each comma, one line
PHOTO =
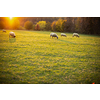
[(35, 58)]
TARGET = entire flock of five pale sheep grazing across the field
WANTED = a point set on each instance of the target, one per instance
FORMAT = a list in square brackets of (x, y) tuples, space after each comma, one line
[(51, 34)]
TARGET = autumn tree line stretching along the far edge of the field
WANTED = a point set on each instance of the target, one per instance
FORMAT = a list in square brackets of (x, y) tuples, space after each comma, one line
[(84, 25)]
